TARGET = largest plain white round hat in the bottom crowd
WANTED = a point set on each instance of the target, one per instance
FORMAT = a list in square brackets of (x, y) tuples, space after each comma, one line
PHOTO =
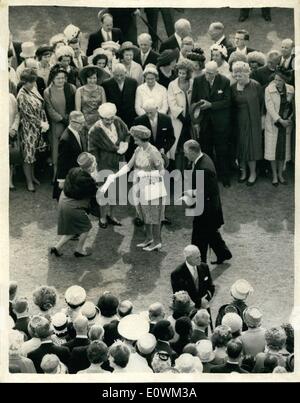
[(133, 326)]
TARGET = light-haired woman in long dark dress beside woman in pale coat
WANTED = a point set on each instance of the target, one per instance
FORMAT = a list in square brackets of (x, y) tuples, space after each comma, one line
[(247, 98)]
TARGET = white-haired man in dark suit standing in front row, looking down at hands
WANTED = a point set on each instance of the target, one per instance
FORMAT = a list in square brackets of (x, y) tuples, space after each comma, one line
[(212, 91)]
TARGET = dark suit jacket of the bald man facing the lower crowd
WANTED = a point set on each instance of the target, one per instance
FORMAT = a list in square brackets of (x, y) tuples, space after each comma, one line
[(182, 279)]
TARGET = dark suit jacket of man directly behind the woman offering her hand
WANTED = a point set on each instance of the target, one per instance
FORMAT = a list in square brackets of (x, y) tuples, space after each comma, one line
[(164, 133)]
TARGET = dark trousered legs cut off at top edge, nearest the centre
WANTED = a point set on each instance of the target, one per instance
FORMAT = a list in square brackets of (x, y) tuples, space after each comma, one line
[(152, 18)]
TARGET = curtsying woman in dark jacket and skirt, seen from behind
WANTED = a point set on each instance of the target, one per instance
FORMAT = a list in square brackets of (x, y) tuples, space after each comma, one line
[(73, 205)]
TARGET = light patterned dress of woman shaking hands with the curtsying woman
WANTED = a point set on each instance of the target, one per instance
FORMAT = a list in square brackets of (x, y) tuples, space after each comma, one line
[(147, 160)]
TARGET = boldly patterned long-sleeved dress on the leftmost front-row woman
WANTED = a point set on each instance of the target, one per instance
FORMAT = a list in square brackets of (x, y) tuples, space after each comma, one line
[(32, 113)]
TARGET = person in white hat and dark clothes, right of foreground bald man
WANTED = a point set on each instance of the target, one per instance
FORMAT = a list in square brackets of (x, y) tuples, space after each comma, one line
[(239, 290)]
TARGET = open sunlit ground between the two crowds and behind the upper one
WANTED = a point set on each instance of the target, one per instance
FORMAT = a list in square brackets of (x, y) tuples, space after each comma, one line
[(259, 221)]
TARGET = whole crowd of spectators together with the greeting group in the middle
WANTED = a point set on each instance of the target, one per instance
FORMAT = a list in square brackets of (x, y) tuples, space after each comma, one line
[(152, 110)]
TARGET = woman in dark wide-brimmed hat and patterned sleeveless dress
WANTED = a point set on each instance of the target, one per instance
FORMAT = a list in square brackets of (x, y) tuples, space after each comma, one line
[(90, 96)]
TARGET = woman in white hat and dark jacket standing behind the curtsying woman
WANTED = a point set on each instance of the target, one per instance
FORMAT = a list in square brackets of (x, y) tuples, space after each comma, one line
[(108, 142)]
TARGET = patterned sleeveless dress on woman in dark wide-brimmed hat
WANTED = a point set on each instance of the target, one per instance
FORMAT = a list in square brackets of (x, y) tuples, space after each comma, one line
[(90, 102)]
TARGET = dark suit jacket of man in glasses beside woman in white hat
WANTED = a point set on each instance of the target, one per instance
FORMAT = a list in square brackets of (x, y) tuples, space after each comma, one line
[(68, 152)]
